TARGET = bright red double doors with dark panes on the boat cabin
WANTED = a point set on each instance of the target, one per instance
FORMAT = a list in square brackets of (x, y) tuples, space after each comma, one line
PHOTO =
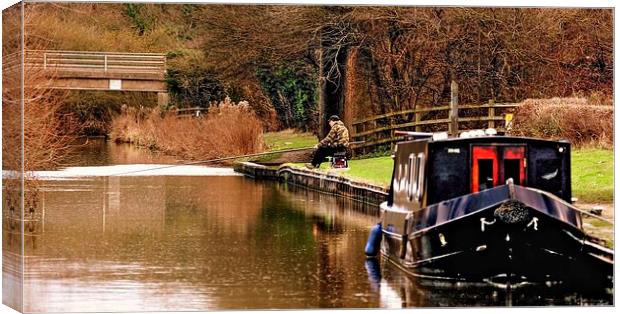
[(493, 165)]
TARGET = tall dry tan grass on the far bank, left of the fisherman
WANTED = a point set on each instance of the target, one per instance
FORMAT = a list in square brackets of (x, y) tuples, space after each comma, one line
[(227, 130)]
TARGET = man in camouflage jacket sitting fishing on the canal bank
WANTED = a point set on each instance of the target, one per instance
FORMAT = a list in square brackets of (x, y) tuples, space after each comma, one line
[(336, 140)]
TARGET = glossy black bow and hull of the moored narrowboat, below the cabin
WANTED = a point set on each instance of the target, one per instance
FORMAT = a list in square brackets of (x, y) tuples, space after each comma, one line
[(464, 239)]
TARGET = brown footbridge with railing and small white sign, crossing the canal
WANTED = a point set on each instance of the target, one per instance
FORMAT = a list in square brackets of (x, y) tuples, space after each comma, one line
[(111, 71)]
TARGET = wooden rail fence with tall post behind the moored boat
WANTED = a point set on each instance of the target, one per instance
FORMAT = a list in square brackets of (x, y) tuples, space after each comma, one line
[(380, 130)]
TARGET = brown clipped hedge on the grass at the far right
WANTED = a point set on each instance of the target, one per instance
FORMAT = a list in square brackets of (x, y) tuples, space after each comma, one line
[(584, 122)]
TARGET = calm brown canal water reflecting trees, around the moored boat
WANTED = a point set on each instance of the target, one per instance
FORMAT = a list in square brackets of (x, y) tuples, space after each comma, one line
[(198, 238)]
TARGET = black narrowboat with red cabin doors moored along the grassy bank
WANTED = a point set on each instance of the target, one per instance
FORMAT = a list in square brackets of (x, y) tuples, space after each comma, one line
[(486, 208)]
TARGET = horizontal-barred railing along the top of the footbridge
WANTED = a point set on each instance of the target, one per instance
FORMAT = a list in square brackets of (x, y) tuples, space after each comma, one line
[(96, 61)]
